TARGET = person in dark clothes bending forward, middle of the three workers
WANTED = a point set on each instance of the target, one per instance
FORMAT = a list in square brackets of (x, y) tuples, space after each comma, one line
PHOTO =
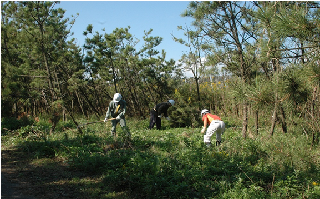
[(157, 111)]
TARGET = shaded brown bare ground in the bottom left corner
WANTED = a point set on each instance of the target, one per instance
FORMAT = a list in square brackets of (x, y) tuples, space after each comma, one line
[(25, 180)]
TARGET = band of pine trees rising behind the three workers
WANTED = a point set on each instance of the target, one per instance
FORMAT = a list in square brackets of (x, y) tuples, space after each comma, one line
[(270, 52)]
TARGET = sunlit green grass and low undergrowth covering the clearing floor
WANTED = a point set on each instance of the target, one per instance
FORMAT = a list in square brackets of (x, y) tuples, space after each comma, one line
[(170, 163)]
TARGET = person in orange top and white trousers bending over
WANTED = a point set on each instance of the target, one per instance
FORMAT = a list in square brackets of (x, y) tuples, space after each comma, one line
[(216, 125)]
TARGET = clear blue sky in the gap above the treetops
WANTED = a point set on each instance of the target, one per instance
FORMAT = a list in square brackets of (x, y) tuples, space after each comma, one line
[(162, 16)]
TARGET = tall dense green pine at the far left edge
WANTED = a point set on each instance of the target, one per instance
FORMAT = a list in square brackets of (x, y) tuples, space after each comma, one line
[(45, 64)]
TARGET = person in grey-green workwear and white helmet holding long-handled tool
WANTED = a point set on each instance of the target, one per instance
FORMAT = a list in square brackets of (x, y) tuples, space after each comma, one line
[(117, 109)]
